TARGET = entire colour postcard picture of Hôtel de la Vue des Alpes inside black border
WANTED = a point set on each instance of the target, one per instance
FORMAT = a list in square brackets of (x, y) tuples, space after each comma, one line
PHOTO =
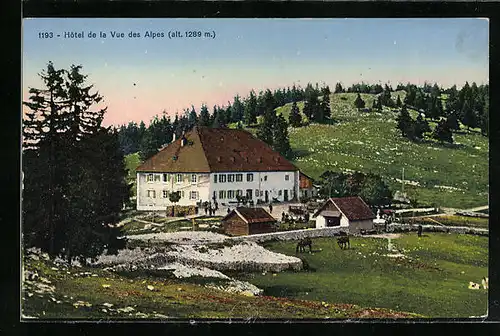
[(254, 169)]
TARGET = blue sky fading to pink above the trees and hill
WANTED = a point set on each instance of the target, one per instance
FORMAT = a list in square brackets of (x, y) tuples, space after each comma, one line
[(140, 77)]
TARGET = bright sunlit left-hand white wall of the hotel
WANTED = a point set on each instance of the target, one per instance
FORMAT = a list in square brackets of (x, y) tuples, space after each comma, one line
[(147, 189)]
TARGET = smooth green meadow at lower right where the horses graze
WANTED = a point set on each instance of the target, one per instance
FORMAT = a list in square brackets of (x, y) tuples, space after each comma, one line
[(433, 284)]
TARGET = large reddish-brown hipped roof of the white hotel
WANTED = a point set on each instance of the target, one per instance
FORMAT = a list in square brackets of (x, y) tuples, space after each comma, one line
[(217, 150)]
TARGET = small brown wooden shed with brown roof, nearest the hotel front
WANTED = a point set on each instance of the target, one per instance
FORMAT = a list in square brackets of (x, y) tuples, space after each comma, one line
[(244, 221)]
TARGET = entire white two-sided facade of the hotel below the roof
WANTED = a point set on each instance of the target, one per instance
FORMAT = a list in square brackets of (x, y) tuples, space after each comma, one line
[(153, 188)]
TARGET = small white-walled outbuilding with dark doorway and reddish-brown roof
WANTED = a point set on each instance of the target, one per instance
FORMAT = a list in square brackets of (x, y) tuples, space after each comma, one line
[(349, 212)]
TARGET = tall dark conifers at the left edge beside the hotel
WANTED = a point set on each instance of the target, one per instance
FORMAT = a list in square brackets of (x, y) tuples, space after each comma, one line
[(73, 169)]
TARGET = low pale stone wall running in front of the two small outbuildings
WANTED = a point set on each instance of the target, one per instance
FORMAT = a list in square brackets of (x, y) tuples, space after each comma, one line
[(294, 235)]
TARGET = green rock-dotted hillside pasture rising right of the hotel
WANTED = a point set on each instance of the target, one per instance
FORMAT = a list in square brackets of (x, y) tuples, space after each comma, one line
[(452, 176)]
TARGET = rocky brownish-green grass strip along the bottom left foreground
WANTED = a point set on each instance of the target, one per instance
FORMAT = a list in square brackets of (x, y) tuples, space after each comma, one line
[(103, 295)]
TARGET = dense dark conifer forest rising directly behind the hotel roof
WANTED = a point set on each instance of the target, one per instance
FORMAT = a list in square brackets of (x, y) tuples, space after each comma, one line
[(273, 130)]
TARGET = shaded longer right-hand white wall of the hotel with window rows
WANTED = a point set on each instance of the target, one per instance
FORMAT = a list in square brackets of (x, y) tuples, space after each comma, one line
[(273, 182)]
